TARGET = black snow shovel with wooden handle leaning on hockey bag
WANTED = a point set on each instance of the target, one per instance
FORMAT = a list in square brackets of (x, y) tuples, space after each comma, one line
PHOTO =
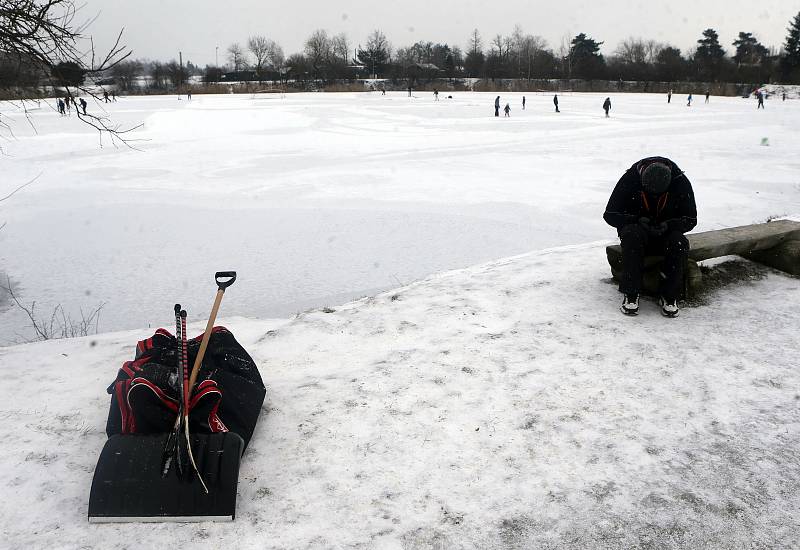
[(130, 485)]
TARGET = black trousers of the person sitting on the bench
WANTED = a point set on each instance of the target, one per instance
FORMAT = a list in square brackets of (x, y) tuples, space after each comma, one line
[(637, 243)]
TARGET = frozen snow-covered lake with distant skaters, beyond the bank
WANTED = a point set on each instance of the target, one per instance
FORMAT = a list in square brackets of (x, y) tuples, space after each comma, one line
[(319, 198)]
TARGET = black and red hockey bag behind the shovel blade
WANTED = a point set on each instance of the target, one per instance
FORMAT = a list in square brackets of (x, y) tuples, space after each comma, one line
[(227, 397)]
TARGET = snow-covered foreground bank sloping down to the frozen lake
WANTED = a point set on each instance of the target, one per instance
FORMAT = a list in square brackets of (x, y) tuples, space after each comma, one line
[(508, 405)]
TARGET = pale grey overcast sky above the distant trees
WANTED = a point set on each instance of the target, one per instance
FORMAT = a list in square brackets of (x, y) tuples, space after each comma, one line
[(159, 29)]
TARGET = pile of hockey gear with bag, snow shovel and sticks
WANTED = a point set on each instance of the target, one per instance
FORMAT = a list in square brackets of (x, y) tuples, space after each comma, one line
[(143, 474)]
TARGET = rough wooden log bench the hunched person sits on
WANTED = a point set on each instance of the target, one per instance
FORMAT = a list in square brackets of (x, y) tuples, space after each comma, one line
[(776, 244)]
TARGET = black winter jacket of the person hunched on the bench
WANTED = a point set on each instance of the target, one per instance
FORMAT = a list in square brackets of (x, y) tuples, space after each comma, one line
[(629, 202)]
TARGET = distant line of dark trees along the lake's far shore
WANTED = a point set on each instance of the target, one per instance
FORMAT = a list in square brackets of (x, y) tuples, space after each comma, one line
[(327, 57)]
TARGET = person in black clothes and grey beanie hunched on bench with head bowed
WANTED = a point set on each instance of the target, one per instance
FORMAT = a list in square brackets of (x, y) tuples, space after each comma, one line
[(652, 206)]
